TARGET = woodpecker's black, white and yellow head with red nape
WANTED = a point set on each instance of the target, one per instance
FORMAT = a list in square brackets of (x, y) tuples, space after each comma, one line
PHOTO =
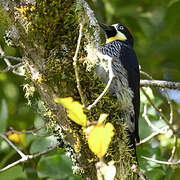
[(117, 32)]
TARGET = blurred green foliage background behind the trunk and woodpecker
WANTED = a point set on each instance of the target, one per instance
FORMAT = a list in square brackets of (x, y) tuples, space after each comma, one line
[(156, 30)]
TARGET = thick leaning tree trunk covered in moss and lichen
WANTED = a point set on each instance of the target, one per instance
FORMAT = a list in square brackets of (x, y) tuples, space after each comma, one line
[(46, 33)]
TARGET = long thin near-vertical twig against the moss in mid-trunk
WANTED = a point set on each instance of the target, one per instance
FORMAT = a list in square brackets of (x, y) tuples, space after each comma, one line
[(76, 67)]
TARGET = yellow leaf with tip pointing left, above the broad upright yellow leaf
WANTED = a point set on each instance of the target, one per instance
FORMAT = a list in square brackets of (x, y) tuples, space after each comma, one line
[(74, 110)]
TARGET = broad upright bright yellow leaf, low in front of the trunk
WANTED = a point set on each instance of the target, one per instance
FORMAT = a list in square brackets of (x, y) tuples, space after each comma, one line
[(100, 138)]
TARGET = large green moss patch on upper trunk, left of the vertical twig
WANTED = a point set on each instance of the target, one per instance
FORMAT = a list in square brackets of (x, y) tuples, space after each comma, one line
[(54, 25)]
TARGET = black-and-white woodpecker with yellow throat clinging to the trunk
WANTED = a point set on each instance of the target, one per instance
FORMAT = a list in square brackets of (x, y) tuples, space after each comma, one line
[(126, 82)]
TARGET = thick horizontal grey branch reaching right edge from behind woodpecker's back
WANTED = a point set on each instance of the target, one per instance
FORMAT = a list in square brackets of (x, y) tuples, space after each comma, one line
[(161, 84)]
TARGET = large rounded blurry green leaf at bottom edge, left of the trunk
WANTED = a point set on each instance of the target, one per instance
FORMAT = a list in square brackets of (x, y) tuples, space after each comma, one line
[(56, 166)]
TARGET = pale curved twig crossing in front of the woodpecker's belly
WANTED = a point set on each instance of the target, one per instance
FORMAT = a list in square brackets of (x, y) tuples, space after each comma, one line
[(111, 77)]
